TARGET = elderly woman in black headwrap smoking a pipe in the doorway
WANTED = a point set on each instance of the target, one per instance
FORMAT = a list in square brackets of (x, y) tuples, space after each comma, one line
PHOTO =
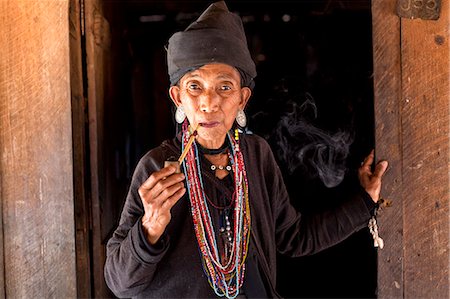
[(214, 228)]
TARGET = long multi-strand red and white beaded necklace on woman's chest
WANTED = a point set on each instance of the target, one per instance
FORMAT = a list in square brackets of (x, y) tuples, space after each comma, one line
[(226, 274)]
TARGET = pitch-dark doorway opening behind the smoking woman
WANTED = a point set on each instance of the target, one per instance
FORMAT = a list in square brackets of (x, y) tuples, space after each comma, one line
[(312, 55)]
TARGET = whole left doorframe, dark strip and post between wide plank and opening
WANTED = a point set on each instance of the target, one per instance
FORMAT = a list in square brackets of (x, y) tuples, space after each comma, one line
[(89, 31)]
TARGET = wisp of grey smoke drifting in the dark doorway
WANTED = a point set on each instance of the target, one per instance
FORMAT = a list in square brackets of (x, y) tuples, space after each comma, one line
[(301, 144)]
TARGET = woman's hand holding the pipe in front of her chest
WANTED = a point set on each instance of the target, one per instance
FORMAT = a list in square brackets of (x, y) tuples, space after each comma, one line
[(159, 193)]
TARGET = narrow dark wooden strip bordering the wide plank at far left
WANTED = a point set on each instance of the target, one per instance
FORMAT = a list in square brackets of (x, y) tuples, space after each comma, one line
[(82, 210)]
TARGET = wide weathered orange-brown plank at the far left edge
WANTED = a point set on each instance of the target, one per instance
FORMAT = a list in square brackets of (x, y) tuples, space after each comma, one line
[(36, 150)]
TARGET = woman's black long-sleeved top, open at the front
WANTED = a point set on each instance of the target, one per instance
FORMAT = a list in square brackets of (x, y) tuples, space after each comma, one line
[(172, 268)]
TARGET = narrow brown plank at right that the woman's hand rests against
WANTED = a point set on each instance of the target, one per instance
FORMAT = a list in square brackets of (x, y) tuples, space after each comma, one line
[(387, 94)]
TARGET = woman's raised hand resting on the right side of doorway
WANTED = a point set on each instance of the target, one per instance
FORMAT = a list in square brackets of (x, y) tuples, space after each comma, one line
[(371, 181)]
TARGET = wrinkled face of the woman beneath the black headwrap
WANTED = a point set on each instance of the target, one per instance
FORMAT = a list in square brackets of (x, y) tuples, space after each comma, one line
[(211, 97)]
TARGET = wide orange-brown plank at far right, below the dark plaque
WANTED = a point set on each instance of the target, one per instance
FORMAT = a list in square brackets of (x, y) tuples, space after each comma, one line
[(425, 122)]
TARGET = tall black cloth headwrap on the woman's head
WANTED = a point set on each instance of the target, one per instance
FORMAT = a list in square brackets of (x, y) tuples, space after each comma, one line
[(216, 36)]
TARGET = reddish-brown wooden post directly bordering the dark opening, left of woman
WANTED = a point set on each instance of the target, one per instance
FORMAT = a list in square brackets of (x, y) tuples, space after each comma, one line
[(97, 42)]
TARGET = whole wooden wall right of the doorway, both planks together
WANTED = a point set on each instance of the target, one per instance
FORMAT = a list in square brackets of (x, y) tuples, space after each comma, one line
[(412, 100)]
